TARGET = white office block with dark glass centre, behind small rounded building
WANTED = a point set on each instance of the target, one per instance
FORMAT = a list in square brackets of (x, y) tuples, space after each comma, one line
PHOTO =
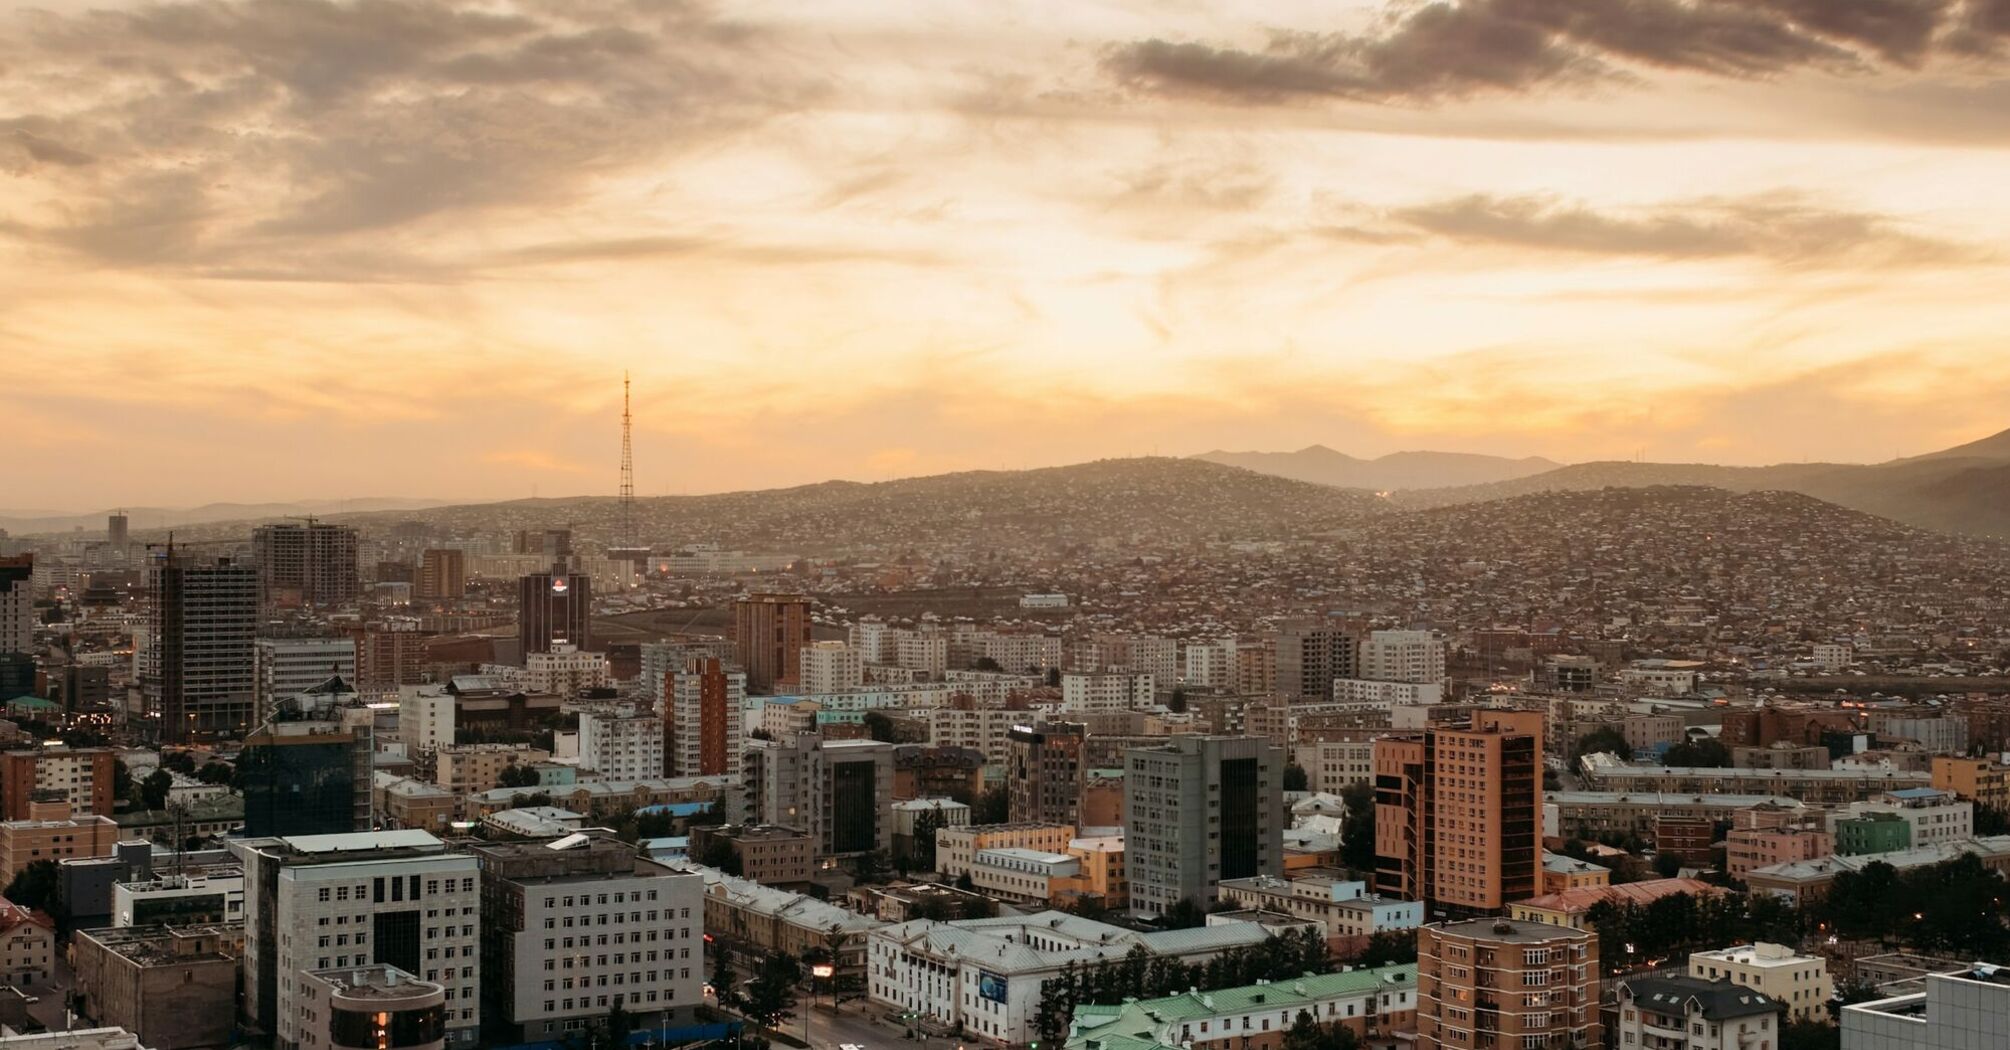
[(325, 904)]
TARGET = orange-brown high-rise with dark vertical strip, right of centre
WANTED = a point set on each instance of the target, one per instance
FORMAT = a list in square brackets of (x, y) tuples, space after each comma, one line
[(1458, 818)]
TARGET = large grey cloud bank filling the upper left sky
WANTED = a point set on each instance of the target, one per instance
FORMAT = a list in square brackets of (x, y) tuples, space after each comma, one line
[(228, 136)]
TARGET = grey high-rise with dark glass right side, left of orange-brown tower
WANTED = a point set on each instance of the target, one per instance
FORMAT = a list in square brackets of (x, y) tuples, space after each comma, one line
[(1197, 812)]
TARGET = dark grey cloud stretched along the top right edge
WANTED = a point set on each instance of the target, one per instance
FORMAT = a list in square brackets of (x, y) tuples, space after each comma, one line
[(1456, 49)]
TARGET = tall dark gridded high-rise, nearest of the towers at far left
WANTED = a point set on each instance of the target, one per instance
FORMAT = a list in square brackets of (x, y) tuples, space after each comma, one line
[(202, 633)]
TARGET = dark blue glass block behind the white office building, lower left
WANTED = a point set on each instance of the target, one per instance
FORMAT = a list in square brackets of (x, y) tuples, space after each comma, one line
[(309, 771)]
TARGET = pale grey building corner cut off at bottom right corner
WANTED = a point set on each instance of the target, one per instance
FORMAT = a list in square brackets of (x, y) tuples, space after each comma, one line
[(1969, 1011)]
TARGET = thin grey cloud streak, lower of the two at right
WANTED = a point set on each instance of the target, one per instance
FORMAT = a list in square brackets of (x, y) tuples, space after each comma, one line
[(1782, 230)]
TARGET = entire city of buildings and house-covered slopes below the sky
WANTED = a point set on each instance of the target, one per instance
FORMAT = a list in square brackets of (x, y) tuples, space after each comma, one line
[(1635, 769)]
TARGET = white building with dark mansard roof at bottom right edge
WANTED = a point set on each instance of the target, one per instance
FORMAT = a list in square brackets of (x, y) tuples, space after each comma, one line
[(1701, 1015)]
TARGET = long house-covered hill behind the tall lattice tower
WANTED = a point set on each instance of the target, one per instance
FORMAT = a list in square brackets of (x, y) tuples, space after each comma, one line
[(1115, 502)]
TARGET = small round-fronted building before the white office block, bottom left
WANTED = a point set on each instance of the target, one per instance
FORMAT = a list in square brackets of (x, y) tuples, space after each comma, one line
[(373, 1009)]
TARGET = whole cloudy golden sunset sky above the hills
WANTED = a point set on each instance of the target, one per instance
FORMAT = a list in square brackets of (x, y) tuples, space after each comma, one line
[(307, 248)]
